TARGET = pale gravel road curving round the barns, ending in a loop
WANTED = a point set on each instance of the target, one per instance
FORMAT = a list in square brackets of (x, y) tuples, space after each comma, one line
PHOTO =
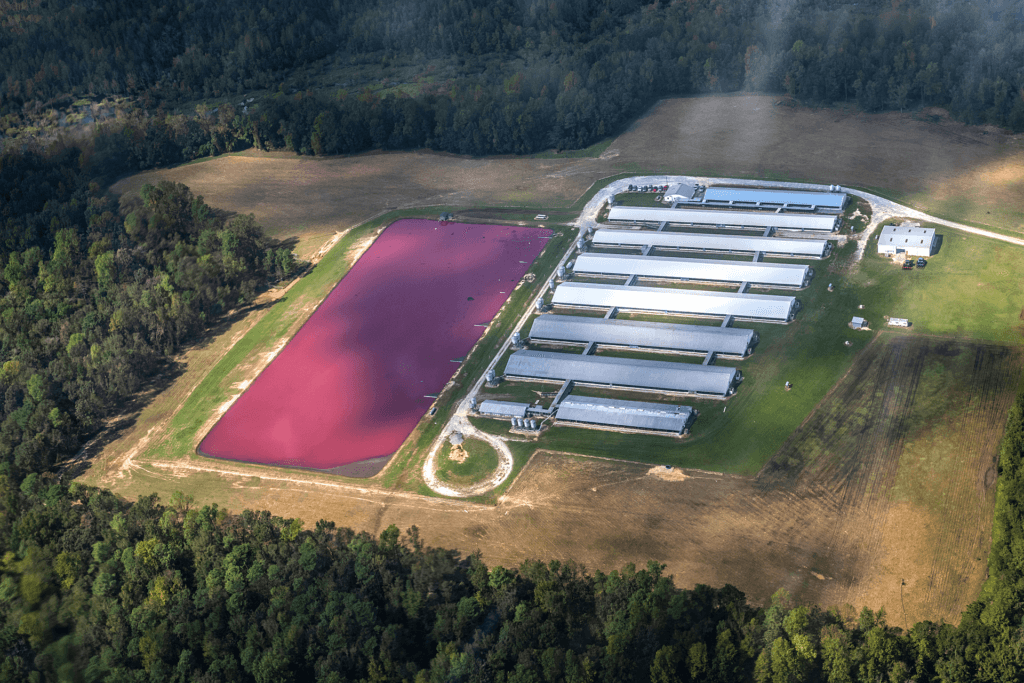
[(882, 210)]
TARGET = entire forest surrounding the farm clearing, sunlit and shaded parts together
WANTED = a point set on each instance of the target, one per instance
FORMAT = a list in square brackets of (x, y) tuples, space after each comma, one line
[(99, 294)]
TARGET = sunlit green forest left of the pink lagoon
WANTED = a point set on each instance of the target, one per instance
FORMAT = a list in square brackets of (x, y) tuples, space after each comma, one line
[(97, 296)]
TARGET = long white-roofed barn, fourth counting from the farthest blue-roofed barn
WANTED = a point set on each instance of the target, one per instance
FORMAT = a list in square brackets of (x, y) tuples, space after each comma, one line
[(700, 270)]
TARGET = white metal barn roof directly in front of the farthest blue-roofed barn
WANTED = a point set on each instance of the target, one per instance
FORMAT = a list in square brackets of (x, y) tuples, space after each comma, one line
[(685, 217)]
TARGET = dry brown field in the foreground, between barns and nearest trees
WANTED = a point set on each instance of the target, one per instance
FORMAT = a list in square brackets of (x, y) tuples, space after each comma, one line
[(870, 493)]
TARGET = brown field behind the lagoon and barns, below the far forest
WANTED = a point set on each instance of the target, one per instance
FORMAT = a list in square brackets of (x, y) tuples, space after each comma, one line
[(975, 175)]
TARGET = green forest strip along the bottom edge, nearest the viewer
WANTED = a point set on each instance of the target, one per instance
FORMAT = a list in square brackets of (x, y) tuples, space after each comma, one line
[(97, 589)]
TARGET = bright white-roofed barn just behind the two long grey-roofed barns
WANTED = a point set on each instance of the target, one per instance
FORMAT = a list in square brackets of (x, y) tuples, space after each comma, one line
[(690, 303)]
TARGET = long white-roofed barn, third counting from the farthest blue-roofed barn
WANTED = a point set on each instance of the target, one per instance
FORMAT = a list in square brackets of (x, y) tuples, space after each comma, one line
[(730, 244)]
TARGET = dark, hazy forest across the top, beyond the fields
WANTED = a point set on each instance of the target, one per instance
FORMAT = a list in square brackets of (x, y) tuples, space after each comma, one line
[(528, 75)]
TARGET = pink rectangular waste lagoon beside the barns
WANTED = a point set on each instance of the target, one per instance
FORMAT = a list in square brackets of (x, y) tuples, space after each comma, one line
[(353, 383)]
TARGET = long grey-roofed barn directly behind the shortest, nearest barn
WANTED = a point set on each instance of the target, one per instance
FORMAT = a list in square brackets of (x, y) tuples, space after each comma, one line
[(628, 373)]
